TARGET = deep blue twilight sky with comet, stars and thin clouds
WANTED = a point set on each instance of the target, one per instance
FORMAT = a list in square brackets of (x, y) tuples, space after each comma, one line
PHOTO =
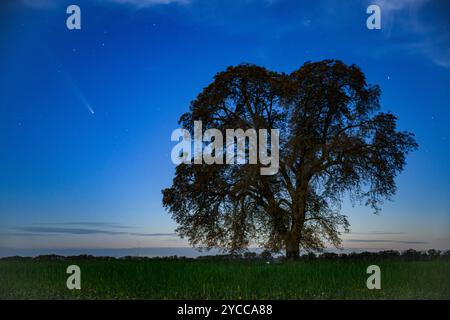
[(70, 178)]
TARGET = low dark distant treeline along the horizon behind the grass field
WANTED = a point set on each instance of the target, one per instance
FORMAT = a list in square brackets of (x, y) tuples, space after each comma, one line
[(267, 256)]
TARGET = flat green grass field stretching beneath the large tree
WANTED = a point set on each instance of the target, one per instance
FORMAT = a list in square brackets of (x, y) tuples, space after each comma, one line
[(196, 279)]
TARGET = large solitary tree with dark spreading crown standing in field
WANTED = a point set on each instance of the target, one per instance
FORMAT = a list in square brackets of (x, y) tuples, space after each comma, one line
[(334, 144)]
